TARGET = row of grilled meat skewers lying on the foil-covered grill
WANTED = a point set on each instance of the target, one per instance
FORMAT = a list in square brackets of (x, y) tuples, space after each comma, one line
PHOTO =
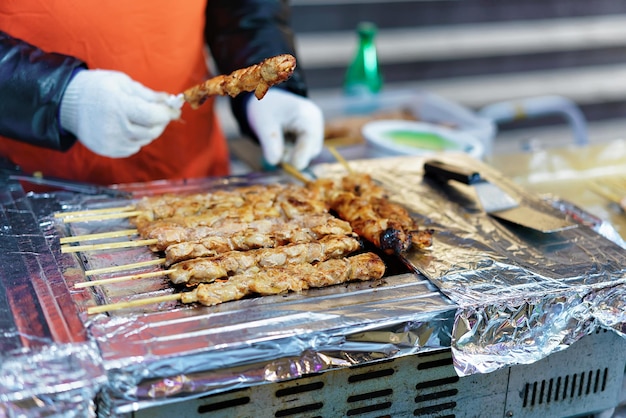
[(257, 240)]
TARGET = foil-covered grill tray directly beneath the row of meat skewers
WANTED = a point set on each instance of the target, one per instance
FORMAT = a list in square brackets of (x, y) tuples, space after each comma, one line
[(168, 352)]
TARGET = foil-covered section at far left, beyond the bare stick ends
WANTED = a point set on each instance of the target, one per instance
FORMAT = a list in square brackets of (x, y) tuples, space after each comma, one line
[(48, 366)]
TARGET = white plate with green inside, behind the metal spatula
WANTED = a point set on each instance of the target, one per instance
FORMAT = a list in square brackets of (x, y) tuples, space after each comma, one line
[(419, 138)]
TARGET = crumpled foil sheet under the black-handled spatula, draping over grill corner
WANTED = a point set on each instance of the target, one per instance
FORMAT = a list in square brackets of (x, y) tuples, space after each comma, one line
[(521, 294)]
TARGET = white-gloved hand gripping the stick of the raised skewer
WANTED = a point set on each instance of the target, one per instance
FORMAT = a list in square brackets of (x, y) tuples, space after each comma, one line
[(113, 115)]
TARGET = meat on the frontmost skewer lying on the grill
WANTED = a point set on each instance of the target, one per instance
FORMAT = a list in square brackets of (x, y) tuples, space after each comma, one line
[(294, 277)]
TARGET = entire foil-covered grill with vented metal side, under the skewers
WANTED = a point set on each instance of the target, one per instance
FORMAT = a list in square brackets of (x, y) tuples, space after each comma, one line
[(467, 336)]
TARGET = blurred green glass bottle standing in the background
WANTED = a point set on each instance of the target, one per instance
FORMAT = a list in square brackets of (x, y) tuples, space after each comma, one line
[(363, 76)]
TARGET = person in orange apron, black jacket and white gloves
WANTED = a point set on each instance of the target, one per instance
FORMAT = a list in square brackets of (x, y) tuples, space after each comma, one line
[(87, 90)]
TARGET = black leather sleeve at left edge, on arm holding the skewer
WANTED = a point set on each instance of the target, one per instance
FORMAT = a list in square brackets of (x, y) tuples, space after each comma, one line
[(32, 83)]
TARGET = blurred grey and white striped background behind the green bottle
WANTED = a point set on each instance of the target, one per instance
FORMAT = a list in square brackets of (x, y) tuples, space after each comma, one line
[(480, 52)]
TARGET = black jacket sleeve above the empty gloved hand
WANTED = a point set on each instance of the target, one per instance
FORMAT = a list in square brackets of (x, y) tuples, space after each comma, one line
[(241, 33)]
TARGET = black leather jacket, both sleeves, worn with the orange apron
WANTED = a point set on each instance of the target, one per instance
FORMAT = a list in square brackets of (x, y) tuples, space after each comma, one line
[(239, 33)]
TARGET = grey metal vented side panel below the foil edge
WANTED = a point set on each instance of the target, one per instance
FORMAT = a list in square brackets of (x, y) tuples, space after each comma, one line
[(585, 378)]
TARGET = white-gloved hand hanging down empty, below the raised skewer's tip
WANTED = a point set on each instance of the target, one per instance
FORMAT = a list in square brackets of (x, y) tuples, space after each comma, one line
[(280, 112)]
